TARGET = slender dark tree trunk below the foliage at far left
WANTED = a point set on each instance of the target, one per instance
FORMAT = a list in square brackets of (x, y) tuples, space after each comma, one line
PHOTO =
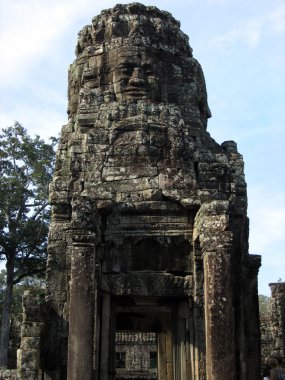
[(6, 314)]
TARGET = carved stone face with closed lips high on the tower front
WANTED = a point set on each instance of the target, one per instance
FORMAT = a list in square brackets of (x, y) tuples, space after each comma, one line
[(136, 78)]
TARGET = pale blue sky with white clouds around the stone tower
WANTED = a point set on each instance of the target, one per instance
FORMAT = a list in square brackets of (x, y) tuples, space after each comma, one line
[(241, 47)]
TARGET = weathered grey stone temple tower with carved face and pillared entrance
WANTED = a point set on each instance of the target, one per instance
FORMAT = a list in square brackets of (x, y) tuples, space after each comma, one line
[(149, 235)]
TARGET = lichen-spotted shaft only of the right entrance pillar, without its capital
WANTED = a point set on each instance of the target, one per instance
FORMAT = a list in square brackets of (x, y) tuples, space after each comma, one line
[(220, 343)]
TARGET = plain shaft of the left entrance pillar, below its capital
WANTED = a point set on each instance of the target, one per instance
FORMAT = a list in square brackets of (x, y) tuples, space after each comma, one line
[(81, 313)]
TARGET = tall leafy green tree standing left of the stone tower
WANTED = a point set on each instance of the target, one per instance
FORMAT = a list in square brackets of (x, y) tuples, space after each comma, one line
[(26, 166)]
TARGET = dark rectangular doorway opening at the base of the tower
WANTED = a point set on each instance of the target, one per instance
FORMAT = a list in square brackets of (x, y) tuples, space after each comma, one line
[(144, 338)]
